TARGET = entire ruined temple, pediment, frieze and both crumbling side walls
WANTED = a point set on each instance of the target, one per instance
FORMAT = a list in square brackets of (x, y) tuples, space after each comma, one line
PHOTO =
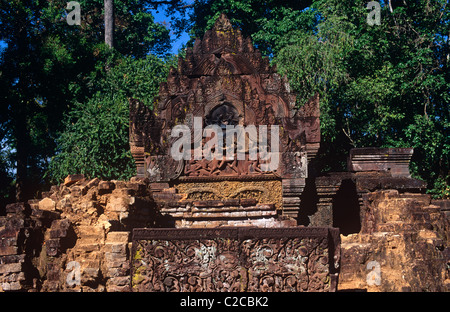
[(199, 224)]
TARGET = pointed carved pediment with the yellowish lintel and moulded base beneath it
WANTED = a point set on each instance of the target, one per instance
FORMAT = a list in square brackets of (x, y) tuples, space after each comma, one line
[(223, 81)]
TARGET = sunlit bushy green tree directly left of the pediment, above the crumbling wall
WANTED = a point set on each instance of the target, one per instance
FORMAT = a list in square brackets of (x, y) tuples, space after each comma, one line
[(95, 139)]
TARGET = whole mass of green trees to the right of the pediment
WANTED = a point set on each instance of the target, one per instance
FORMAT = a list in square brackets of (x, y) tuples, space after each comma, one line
[(385, 85)]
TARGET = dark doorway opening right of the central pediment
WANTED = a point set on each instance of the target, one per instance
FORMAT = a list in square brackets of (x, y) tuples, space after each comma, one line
[(346, 210)]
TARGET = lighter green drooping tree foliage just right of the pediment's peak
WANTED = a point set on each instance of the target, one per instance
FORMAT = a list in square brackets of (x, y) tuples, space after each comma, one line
[(314, 62)]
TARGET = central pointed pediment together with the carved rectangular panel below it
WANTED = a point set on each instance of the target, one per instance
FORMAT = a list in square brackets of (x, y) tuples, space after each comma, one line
[(235, 211)]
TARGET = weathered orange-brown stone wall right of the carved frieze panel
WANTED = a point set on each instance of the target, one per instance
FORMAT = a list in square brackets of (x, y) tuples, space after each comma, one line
[(403, 245)]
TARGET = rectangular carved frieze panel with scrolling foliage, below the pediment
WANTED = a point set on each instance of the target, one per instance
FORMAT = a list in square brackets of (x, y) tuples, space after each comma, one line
[(235, 259)]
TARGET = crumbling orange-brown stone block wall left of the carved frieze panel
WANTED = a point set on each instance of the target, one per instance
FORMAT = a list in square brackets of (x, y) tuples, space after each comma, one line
[(76, 238)]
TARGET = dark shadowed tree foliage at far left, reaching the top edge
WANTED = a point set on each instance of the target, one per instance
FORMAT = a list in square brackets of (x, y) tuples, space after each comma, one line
[(48, 65)]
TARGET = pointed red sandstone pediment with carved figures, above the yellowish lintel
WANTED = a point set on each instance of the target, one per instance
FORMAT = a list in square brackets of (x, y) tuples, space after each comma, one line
[(223, 82)]
